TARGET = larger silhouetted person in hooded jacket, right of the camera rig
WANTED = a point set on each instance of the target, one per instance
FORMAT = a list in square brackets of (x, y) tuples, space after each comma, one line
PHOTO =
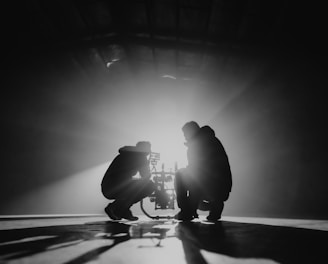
[(207, 176)]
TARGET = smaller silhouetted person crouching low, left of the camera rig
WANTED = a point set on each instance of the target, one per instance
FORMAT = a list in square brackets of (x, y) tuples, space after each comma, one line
[(118, 182)]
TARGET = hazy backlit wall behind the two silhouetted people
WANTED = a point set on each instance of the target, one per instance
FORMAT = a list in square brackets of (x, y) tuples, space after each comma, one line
[(64, 116)]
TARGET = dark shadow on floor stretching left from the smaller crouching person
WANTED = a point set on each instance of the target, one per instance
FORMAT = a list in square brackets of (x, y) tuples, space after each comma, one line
[(24, 242)]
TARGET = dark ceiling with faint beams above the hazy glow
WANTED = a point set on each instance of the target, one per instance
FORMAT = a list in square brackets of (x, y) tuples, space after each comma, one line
[(180, 33)]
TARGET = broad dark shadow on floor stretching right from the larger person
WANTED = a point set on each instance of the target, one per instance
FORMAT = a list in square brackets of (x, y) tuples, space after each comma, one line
[(241, 240)]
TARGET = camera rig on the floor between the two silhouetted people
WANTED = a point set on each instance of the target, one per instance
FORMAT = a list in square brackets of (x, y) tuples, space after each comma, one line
[(164, 195)]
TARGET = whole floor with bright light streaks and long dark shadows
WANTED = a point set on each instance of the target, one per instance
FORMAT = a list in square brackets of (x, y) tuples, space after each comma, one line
[(96, 239)]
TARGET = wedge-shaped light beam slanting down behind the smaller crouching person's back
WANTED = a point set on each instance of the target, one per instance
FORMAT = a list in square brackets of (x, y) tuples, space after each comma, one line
[(78, 193)]
